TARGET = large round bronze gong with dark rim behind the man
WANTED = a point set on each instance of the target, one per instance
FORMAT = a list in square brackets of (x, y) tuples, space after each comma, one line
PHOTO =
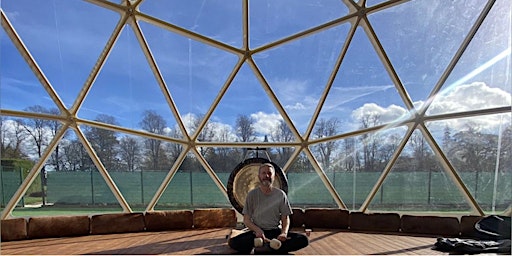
[(244, 178)]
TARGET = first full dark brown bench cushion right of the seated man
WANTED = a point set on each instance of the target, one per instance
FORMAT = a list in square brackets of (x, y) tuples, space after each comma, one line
[(326, 218)]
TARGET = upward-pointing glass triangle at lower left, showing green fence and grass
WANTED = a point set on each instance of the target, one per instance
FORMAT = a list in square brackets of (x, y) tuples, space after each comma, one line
[(73, 185)]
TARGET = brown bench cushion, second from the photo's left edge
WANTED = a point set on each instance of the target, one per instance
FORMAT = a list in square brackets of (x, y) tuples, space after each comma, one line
[(58, 226)]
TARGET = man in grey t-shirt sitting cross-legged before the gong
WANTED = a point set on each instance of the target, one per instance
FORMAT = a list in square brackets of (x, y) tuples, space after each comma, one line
[(266, 214)]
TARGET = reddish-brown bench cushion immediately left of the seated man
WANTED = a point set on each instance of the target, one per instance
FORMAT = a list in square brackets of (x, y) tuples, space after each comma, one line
[(214, 218)]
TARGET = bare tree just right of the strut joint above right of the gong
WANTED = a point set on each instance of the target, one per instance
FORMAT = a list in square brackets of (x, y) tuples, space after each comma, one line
[(326, 128)]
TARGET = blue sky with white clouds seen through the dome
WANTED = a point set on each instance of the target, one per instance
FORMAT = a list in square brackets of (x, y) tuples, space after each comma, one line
[(419, 38)]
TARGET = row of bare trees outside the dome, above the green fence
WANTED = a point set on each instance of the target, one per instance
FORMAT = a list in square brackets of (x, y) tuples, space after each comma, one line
[(469, 150)]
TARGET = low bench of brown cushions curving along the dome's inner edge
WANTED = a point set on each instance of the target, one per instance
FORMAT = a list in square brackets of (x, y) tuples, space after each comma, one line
[(311, 218)]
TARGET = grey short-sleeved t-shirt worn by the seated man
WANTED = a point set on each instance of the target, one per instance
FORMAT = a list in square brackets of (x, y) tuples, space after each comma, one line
[(266, 210)]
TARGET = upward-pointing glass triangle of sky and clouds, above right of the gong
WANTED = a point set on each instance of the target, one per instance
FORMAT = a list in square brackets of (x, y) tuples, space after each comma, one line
[(362, 94)]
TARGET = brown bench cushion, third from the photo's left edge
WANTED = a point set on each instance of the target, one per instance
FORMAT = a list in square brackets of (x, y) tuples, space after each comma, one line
[(117, 223)]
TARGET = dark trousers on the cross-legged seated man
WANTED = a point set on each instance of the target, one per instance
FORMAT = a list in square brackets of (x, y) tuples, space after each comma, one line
[(244, 243)]
